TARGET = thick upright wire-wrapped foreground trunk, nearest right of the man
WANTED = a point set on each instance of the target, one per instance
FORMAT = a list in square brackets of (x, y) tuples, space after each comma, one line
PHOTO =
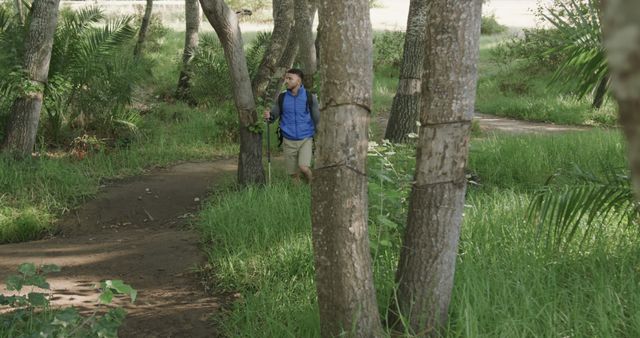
[(344, 280)]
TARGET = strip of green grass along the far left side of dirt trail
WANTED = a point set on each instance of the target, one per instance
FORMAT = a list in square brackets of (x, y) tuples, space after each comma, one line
[(35, 191)]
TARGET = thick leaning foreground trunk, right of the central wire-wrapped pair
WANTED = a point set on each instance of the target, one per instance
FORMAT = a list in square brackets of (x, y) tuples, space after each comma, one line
[(428, 256)]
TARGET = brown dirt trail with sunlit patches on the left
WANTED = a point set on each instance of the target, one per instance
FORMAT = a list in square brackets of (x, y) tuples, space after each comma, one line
[(135, 230)]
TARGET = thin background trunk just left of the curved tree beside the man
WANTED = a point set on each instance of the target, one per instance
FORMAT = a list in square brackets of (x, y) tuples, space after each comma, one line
[(192, 18)]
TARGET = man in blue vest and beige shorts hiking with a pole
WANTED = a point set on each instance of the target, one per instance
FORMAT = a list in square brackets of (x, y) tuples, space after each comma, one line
[(299, 115)]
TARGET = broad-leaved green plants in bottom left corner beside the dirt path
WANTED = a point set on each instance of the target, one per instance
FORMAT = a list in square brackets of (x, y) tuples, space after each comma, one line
[(32, 316)]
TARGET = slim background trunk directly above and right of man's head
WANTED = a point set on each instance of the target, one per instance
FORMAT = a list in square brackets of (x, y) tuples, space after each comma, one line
[(304, 14)]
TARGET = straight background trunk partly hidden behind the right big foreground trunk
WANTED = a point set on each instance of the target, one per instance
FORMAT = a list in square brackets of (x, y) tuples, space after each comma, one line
[(406, 104)]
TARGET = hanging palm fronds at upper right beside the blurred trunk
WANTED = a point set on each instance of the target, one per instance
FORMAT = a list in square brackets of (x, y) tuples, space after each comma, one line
[(585, 67)]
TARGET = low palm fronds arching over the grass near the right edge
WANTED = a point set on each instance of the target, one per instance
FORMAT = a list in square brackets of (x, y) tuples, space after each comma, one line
[(582, 209)]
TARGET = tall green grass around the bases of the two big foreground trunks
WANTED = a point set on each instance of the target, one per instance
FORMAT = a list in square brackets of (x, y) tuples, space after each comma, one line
[(258, 241)]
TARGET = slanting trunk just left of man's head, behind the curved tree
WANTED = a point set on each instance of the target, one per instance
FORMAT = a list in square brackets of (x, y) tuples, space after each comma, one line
[(282, 24)]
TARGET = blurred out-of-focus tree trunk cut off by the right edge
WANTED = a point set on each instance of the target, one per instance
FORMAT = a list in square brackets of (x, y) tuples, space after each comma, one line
[(621, 30)]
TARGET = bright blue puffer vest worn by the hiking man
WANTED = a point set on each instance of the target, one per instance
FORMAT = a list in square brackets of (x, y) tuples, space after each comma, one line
[(296, 121)]
